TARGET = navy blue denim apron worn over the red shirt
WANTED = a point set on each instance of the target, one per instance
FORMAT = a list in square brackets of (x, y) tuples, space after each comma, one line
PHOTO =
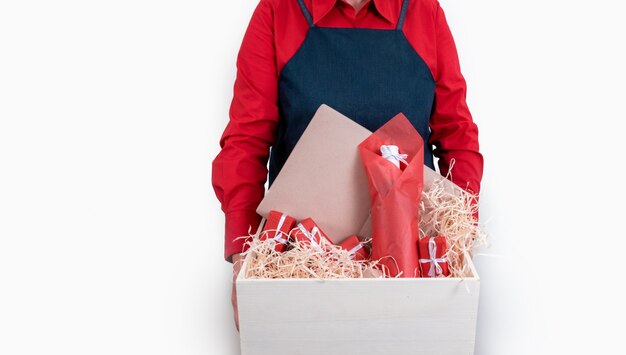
[(368, 75)]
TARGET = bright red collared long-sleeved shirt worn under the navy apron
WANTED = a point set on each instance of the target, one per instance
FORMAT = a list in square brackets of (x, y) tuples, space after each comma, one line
[(275, 32)]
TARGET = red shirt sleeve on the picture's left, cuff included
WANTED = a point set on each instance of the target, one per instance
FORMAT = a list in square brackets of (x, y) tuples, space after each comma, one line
[(240, 169)]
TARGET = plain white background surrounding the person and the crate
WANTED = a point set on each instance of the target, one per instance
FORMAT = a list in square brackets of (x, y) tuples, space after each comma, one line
[(111, 238)]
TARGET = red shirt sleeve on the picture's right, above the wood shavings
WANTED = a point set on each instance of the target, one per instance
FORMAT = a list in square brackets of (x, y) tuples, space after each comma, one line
[(453, 132)]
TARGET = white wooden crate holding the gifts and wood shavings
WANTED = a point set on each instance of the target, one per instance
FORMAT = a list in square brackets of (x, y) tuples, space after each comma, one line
[(358, 316)]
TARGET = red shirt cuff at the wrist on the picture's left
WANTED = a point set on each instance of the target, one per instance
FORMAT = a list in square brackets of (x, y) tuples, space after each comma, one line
[(239, 224)]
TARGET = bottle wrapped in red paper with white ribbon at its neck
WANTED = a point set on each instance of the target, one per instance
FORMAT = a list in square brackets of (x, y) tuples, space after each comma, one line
[(395, 192)]
